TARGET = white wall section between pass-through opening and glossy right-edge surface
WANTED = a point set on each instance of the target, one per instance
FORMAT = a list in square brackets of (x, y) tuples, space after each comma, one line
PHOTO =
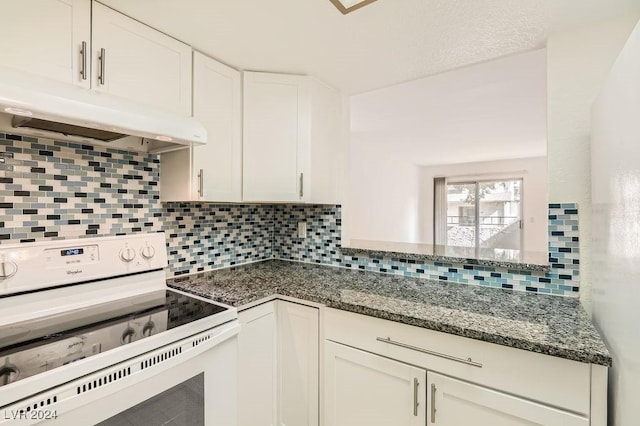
[(577, 64)]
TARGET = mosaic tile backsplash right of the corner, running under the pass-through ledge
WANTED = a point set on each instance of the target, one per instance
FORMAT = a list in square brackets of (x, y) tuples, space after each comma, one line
[(323, 242)]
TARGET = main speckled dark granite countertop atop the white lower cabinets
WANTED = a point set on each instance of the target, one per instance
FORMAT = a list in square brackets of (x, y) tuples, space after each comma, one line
[(551, 325)]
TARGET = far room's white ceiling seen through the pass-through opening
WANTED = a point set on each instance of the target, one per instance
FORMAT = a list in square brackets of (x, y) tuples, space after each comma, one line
[(490, 111)]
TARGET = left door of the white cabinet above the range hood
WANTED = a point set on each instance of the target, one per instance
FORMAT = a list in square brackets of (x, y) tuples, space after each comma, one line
[(45, 37)]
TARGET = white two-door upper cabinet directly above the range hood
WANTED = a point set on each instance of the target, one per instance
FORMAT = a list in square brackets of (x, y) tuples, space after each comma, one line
[(88, 44)]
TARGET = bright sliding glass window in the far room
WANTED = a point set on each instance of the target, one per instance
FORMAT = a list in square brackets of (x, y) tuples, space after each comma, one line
[(484, 214)]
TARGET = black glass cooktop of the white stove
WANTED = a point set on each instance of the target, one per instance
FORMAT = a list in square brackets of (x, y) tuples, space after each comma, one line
[(39, 345)]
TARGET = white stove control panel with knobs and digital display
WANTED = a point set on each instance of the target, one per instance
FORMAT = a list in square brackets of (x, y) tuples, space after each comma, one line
[(33, 266)]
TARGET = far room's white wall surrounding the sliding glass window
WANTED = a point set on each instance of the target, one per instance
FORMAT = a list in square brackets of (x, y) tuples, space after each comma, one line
[(533, 172)]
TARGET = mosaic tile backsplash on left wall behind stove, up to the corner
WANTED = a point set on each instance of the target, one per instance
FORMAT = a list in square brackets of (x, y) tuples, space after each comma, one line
[(67, 190)]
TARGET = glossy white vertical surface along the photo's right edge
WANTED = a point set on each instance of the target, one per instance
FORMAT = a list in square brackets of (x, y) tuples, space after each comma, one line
[(616, 228)]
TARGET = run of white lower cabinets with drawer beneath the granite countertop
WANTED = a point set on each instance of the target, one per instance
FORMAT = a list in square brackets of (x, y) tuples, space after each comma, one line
[(380, 373)]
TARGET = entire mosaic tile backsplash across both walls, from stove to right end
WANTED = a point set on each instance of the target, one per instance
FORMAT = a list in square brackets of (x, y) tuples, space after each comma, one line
[(67, 190)]
